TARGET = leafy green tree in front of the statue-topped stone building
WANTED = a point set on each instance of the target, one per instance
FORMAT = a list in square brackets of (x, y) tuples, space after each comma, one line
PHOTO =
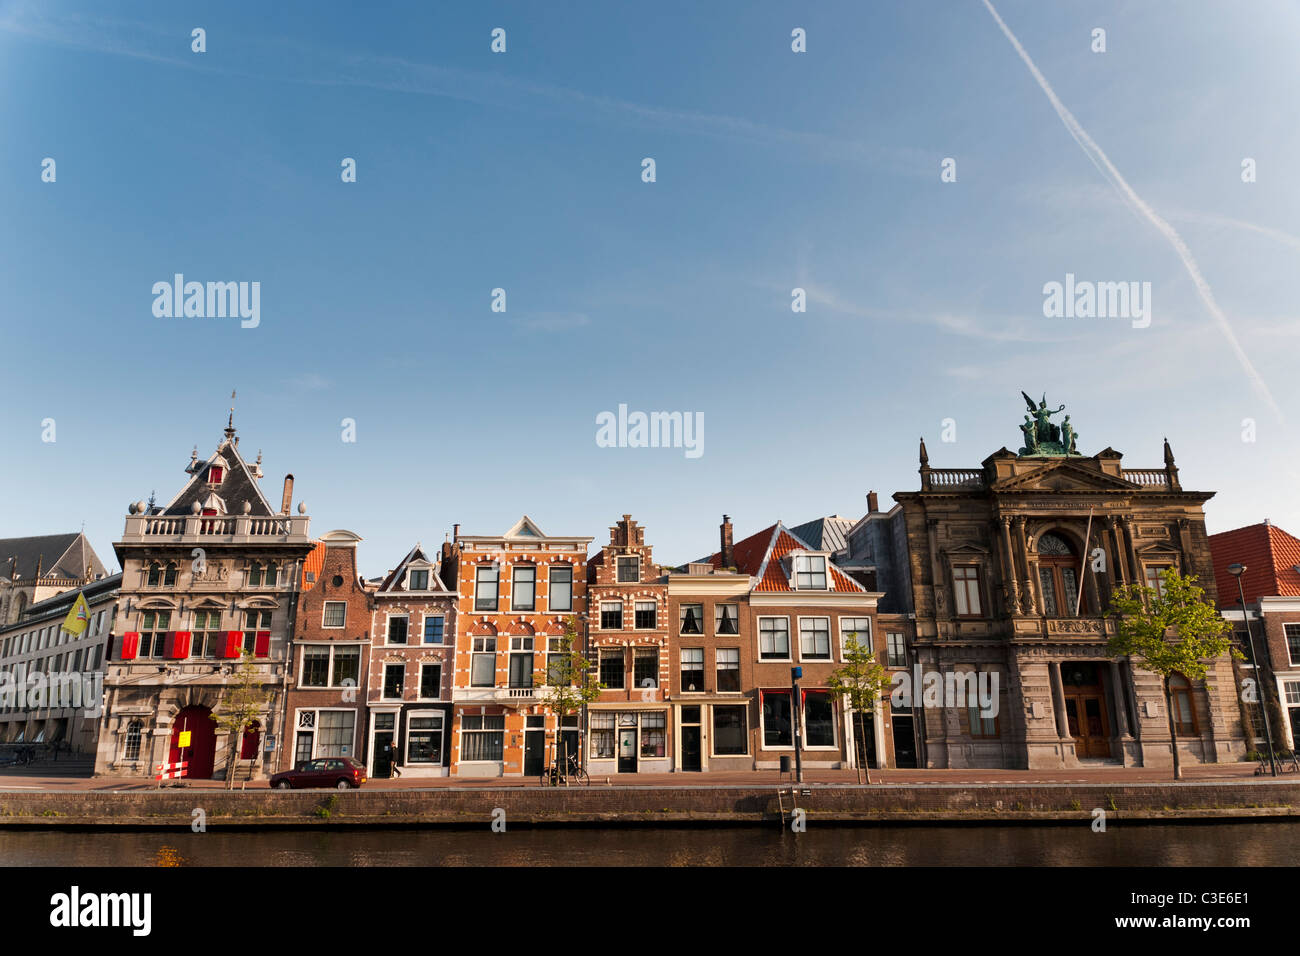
[(1172, 631)]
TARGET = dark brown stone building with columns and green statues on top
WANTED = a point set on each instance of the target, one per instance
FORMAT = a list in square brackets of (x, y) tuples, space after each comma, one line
[(1012, 565)]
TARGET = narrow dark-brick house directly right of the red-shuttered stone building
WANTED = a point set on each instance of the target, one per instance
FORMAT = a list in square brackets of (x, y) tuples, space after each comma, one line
[(330, 659)]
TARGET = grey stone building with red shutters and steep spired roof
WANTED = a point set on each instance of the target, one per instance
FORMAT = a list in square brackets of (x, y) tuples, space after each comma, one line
[(207, 579)]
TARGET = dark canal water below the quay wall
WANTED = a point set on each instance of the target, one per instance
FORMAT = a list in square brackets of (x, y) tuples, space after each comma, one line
[(1219, 845)]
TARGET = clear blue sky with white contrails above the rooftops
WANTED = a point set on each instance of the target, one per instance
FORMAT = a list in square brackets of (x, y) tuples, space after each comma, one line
[(523, 171)]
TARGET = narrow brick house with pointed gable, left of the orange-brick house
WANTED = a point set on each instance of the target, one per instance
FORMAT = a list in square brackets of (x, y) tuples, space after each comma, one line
[(411, 668)]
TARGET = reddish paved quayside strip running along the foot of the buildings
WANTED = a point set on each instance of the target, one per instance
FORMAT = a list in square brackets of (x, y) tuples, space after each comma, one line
[(31, 778)]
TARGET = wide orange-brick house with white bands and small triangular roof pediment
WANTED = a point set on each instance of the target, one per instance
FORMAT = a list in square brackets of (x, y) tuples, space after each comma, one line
[(514, 595)]
